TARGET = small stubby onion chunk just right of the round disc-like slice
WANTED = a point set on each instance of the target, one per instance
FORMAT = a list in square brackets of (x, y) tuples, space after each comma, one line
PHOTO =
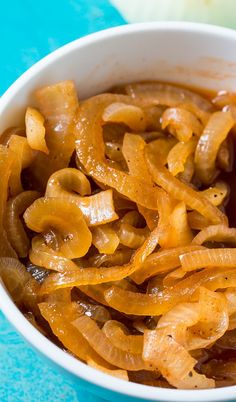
[(105, 239)]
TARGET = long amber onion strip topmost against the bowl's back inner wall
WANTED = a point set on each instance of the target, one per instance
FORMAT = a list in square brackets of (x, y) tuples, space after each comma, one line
[(166, 94)]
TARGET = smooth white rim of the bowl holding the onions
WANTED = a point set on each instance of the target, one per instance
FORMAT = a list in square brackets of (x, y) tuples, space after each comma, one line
[(13, 314)]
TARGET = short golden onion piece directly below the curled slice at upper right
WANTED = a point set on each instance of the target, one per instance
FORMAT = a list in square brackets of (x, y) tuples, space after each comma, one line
[(179, 154)]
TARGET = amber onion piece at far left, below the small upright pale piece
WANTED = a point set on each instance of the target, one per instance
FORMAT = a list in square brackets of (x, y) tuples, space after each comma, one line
[(23, 157)]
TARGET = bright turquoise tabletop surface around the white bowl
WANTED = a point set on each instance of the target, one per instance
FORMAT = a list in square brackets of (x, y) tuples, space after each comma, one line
[(28, 31)]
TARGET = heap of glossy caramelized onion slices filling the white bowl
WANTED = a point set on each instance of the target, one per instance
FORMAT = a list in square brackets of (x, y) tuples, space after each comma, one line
[(116, 237)]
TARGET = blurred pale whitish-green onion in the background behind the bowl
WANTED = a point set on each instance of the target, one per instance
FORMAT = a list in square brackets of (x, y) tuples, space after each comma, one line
[(219, 12)]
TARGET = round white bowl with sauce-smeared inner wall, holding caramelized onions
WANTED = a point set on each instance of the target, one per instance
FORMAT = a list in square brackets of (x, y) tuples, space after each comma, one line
[(193, 54)]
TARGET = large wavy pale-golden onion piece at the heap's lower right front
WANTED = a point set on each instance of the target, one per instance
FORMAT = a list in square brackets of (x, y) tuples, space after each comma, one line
[(167, 346)]
